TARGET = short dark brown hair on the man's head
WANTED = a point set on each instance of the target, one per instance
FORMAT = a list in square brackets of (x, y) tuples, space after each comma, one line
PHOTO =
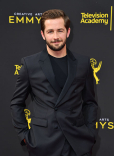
[(53, 14)]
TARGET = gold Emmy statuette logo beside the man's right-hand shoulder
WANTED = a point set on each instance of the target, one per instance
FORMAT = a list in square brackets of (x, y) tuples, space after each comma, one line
[(95, 69)]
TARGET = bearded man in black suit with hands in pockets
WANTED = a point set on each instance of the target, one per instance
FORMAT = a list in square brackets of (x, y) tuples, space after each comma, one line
[(60, 83)]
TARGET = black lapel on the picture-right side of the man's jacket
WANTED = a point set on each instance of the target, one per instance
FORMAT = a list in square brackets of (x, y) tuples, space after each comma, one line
[(71, 75)]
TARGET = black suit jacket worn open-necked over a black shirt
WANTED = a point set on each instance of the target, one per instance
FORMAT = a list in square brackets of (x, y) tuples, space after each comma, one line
[(71, 115)]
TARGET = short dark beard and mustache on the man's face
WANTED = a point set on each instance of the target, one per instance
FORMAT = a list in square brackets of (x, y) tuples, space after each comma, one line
[(56, 48)]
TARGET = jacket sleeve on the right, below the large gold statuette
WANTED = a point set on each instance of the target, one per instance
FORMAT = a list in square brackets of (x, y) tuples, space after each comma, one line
[(90, 105)]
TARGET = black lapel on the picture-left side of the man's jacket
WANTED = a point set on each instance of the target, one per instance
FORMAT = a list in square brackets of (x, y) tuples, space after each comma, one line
[(48, 71)]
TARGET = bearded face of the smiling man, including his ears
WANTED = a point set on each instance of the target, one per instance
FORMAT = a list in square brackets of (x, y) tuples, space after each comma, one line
[(55, 34)]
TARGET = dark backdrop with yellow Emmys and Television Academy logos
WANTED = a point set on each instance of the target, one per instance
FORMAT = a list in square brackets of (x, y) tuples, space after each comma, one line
[(92, 34)]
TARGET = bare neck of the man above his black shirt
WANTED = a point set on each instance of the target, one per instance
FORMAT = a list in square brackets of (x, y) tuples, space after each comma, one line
[(57, 54)]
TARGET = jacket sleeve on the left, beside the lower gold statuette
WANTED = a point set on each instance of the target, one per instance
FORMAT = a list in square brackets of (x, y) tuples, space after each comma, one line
[(18, 105)]
